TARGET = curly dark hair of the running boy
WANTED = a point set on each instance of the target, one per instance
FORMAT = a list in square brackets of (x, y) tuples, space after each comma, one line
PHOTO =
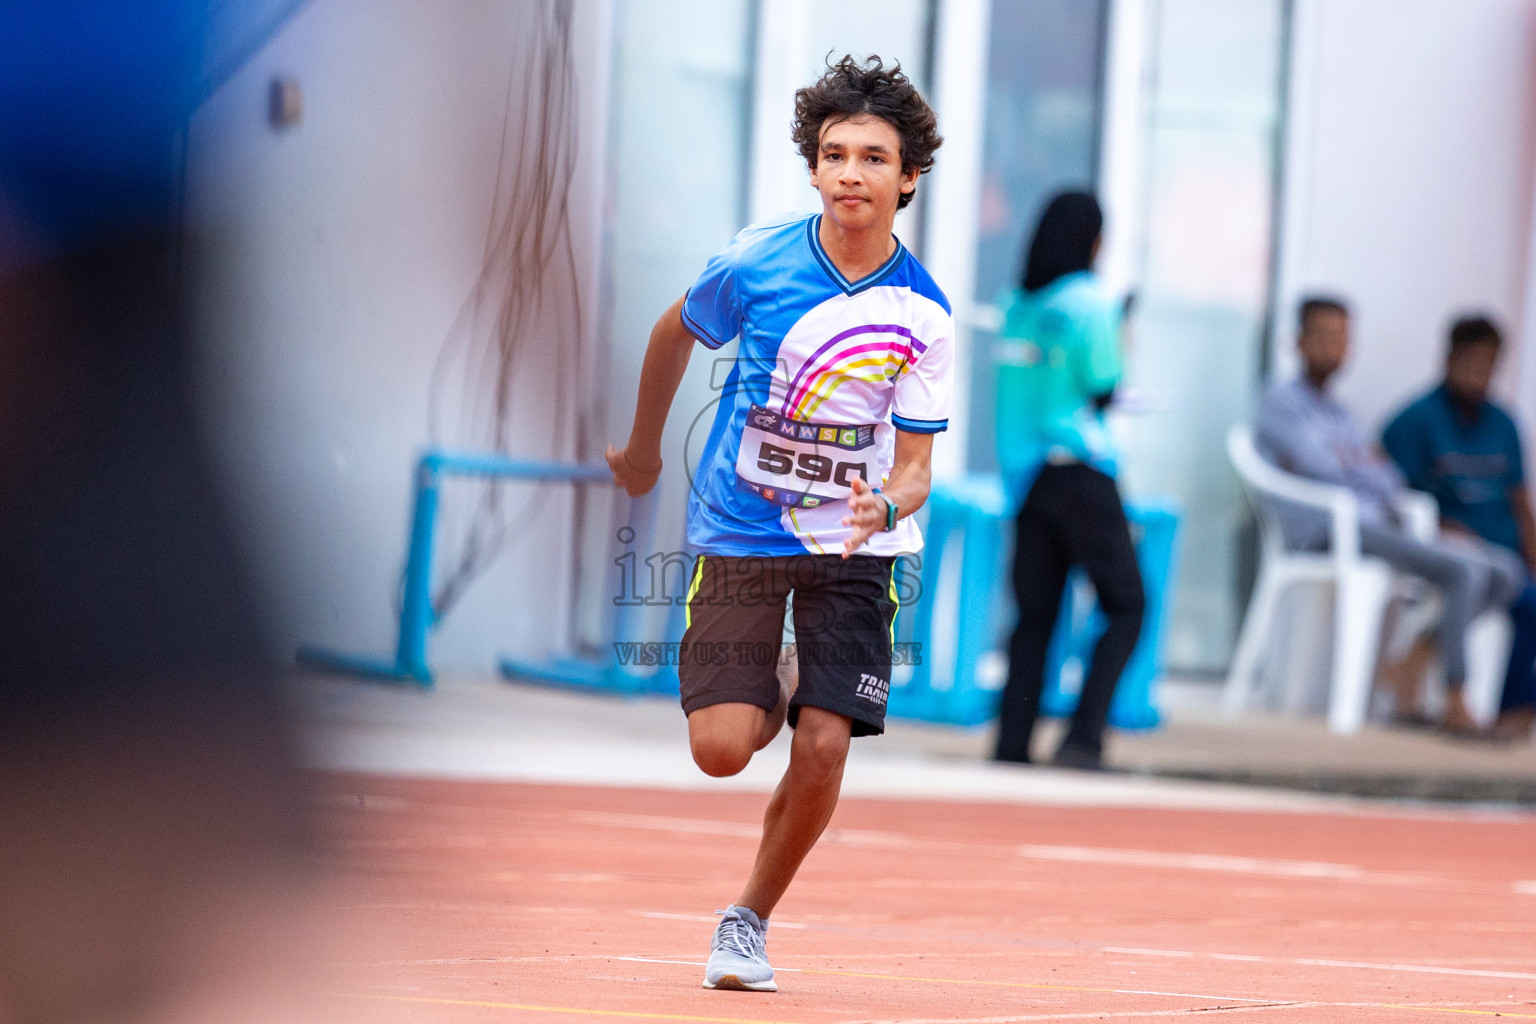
[(850, 90)]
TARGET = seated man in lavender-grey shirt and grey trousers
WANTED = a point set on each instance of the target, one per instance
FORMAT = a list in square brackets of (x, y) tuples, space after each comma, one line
[(1303, 431)]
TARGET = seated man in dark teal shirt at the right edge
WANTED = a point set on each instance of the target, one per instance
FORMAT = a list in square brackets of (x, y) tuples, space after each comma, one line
[(1465, 451)]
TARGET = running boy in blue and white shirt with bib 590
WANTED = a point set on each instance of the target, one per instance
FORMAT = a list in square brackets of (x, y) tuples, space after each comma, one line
[(816, 461)]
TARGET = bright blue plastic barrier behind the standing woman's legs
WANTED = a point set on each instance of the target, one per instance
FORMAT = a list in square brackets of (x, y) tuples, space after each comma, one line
[(978, 509)]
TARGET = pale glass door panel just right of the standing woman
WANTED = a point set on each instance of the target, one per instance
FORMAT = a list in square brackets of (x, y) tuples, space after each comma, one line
[(1202, 273)]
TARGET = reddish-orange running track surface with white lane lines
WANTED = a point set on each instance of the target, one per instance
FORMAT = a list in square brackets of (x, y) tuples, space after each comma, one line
[(520, 903)]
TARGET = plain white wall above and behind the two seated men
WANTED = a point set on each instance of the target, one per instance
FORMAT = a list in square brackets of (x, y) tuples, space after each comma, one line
[(1408, 185)]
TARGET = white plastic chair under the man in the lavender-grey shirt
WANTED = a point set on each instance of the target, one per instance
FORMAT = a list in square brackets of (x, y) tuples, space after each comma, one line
[(1363, 586)]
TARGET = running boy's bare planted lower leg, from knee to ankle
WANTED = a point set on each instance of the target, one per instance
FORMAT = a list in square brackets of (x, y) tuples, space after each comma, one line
[(801, 807)]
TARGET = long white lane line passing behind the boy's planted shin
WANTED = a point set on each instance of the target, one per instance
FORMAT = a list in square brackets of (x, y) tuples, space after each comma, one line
[(1167, 860)]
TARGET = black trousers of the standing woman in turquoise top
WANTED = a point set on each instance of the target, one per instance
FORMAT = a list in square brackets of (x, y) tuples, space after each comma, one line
[(1073, 517)]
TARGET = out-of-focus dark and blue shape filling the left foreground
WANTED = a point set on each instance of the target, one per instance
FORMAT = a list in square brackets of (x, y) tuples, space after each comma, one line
[(147, 771)]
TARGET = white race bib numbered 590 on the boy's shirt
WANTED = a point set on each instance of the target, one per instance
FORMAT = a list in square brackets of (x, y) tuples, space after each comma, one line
[(799, 464)]
